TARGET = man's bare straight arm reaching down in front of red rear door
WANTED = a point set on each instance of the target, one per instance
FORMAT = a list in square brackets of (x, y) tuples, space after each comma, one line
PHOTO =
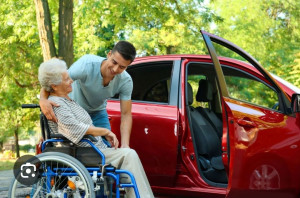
[(126, 122)]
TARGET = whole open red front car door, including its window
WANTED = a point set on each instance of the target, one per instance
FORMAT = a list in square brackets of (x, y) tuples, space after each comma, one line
[(257, 130)]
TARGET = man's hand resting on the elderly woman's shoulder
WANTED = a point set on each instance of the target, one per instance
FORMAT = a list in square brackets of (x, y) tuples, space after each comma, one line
[(46, 105)]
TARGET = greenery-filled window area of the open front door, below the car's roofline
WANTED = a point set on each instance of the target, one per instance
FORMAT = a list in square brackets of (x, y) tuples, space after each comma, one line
[(247, 88)]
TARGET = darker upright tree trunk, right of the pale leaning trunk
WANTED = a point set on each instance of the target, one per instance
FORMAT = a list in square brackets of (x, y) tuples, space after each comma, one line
[(65, 49)]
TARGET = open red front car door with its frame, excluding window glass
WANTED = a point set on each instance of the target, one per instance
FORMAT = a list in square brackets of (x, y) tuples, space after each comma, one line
[(259, 139)]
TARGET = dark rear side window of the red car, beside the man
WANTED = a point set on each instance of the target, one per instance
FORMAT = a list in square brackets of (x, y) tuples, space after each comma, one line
[(151, 81)]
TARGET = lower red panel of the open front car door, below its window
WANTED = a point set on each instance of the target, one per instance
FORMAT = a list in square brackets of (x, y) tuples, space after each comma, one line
[(265, 148)]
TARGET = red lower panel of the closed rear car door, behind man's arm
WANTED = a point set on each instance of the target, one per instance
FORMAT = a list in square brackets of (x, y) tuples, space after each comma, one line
[(152, 123)]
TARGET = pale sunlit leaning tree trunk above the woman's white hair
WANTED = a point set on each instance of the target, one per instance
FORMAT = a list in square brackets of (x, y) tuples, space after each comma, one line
[(45, 29)]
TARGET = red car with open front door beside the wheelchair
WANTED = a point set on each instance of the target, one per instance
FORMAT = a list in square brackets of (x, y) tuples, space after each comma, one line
[(212, 126)]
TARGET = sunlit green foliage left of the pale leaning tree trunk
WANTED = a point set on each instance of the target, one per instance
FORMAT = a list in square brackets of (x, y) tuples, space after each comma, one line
[(19, 57)]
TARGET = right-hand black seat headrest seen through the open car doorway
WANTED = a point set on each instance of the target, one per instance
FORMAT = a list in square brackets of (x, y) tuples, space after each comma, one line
[(205, 91)]
